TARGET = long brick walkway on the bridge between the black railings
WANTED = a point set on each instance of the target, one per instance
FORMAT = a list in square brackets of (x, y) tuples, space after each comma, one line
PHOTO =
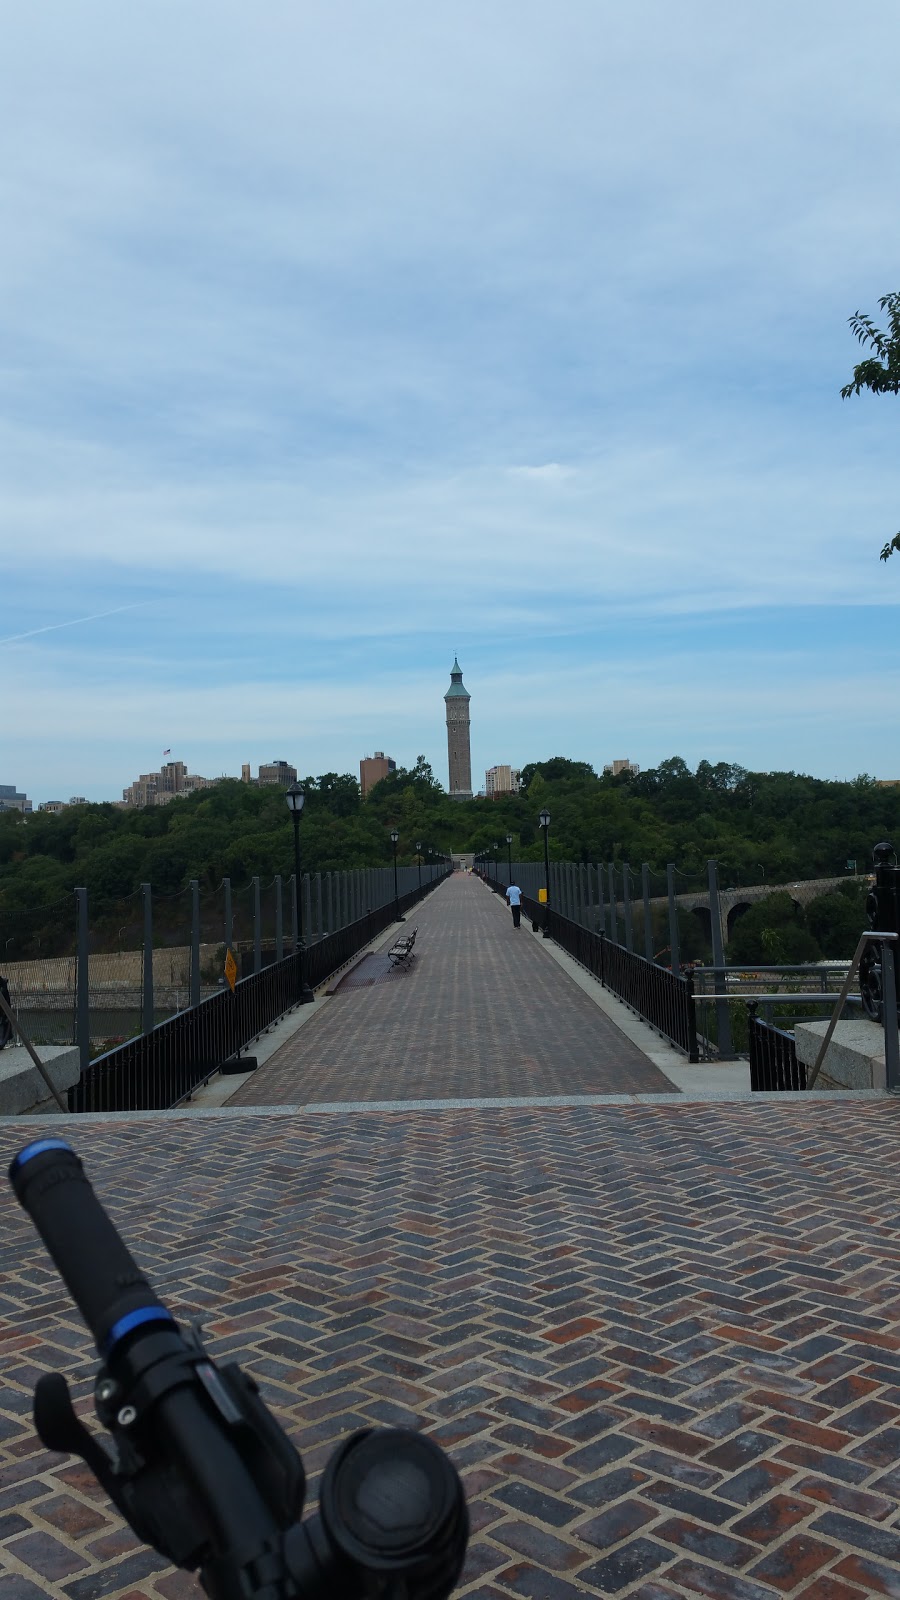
[(483, 1012)]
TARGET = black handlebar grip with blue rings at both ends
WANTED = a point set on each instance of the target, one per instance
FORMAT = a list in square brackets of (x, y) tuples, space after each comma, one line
[(110, 1290)]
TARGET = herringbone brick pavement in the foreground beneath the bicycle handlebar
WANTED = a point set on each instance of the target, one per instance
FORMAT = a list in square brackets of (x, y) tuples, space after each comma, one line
[(662, 1342)]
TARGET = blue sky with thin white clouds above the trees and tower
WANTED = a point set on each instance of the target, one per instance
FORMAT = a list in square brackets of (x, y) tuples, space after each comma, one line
[(340, 340)]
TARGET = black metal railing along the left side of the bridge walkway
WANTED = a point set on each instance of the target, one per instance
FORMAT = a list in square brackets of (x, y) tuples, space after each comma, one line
[(164, 1066)]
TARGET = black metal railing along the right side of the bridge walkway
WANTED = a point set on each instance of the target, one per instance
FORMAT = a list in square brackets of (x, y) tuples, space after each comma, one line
[(664, 999)]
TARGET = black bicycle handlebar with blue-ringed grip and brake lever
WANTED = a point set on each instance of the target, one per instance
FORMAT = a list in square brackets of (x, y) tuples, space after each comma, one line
[(203, 1470)]
